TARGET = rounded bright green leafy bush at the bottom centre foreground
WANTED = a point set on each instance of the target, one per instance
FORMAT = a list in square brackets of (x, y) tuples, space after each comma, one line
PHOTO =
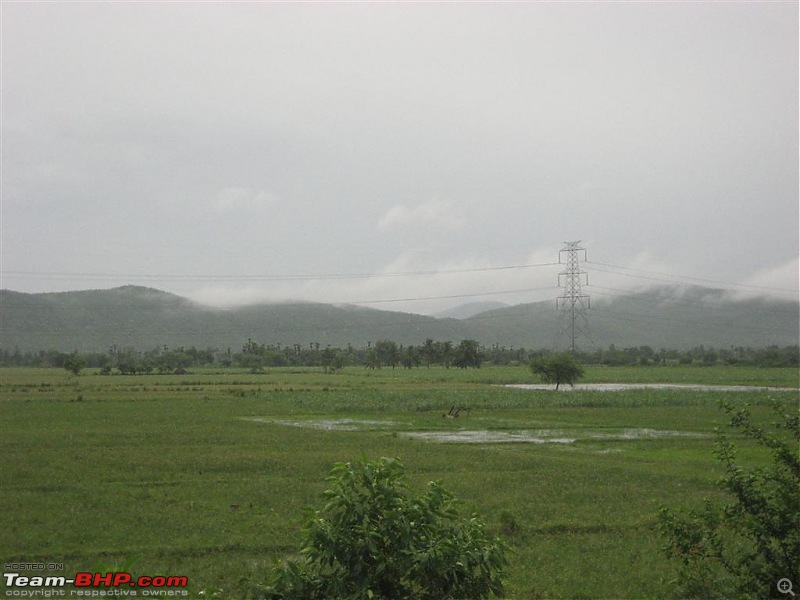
[(375, 539)]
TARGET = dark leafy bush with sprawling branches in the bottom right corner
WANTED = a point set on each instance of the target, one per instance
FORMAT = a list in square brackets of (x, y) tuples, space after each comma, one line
[(741, 549)]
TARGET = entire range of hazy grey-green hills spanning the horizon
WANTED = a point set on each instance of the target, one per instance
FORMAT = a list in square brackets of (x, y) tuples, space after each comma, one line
[(676, 317)]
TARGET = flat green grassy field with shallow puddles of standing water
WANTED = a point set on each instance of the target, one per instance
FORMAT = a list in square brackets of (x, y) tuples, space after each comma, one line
[(207, 474)]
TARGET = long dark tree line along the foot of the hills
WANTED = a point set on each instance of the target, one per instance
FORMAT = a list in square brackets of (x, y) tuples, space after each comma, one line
[(382, 353)]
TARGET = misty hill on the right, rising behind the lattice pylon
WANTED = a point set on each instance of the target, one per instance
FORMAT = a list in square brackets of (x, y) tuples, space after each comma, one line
[(675, 317)]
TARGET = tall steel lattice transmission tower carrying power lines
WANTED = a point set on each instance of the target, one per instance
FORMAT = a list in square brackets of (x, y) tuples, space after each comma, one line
[(573, 303)]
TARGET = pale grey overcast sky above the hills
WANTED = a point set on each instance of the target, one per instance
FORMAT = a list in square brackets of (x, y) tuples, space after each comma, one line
[(234, 152)]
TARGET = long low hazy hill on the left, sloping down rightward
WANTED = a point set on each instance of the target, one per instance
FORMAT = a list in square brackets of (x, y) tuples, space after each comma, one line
[(144, 318)]
